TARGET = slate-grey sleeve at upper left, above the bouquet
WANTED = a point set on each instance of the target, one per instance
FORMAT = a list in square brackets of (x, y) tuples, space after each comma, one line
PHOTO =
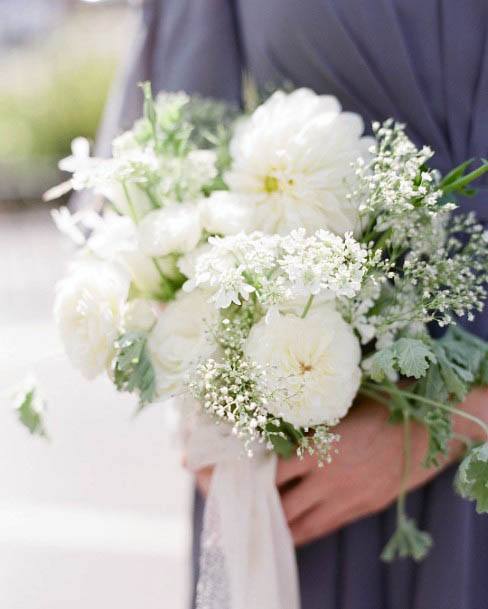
[(190, 45)]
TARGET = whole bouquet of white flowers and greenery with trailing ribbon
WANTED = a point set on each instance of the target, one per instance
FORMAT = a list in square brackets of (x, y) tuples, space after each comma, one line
[(270, 266)]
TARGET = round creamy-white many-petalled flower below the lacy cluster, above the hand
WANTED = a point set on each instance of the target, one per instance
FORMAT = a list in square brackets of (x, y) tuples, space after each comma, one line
[(312, 363)]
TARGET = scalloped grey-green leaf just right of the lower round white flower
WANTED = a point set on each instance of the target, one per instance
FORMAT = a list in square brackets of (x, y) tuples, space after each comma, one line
[(409, 356)]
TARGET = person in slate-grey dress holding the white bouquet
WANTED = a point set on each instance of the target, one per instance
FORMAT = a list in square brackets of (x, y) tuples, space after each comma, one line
[(422, 64)]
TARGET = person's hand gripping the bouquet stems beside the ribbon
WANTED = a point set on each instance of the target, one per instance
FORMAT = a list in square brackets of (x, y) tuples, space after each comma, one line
[(363, 478)]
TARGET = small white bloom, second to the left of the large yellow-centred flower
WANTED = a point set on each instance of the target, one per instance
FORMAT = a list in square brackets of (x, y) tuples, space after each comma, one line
[(173, 229)]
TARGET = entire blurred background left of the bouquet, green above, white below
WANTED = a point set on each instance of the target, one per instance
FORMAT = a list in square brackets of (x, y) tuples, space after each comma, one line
[(98, 515)]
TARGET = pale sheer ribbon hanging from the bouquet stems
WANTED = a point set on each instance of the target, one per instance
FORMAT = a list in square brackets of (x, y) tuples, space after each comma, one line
[(247, 556)]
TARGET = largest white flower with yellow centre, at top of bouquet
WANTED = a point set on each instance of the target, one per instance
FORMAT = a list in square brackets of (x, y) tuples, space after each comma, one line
[(292, 159)]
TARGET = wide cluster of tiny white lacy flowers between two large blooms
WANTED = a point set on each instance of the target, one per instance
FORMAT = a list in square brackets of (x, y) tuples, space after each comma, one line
[(277, 269)]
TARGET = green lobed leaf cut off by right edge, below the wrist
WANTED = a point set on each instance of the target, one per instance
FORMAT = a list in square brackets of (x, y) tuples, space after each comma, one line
[(472, 477)]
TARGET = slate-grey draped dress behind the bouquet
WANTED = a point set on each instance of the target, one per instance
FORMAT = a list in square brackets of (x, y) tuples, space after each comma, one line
[(424, 62)]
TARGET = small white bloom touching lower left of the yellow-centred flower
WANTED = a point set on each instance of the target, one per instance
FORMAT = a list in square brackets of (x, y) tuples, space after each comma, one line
[(225, 214)]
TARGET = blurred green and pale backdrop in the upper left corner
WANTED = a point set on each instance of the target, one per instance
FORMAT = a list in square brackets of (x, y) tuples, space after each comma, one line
[(57, 62)]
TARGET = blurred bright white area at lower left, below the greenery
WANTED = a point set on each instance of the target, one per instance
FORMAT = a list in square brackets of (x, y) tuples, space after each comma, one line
[(98, 517)]
